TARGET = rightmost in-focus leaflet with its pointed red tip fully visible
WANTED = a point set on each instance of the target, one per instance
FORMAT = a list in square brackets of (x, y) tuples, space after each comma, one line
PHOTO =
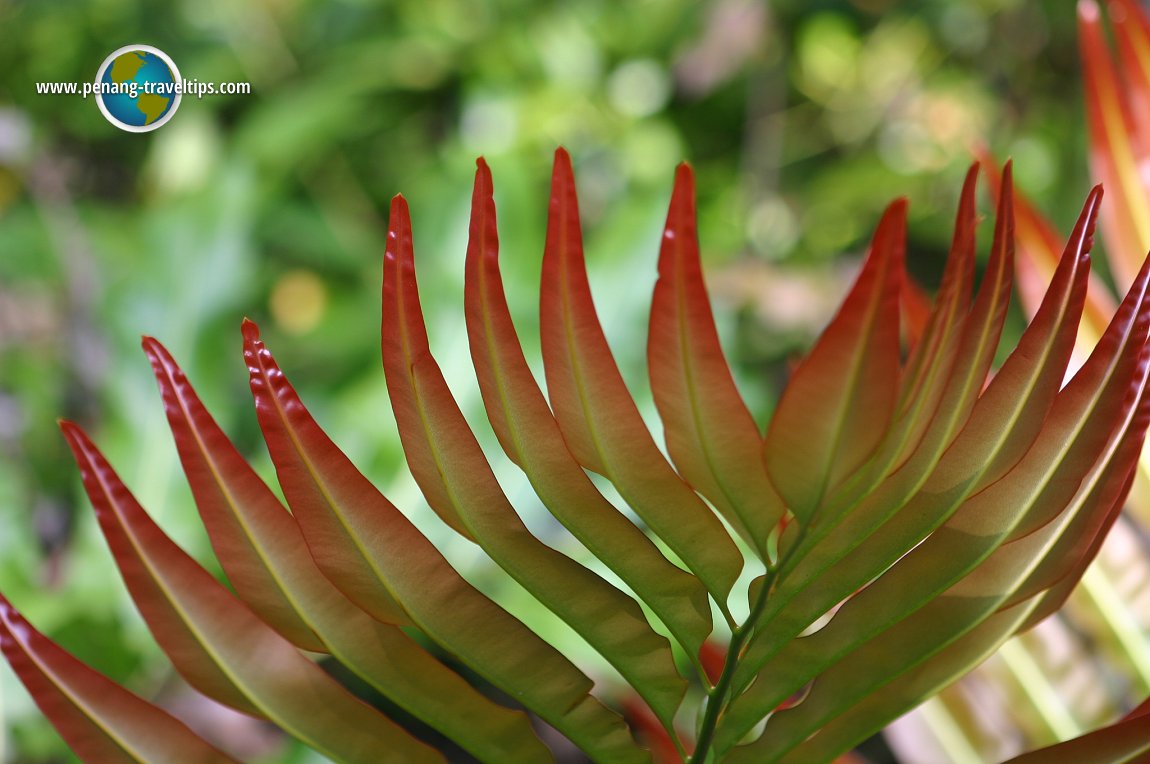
[(1003, 425)]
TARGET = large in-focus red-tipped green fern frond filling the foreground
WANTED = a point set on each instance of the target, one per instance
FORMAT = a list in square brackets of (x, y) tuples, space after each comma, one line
[(906, 517)]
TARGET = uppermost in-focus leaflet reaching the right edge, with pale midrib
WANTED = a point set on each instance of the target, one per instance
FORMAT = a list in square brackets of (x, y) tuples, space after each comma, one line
[(984, 552)]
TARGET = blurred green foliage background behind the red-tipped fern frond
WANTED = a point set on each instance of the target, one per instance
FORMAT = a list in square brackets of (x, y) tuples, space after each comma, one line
[(803, 121)]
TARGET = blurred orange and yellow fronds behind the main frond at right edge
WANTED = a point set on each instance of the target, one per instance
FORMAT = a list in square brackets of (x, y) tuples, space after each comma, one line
[(1100, 639)]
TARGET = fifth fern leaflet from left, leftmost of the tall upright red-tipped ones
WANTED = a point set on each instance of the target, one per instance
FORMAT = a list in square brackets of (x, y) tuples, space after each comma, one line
[(449, 465)]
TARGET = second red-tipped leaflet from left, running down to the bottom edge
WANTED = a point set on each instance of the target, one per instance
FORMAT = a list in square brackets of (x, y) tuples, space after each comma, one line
[(211, 637)]
